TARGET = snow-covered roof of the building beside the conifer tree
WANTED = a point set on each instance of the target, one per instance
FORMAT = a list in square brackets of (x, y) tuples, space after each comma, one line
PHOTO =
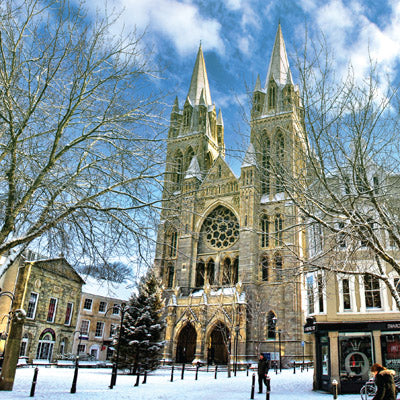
[(105, 288)]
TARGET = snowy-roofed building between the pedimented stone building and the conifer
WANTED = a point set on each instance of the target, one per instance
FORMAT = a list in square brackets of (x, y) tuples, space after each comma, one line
[(99, 317)]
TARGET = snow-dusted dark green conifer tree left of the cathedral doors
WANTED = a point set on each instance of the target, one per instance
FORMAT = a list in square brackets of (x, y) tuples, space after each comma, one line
[(141, 337)]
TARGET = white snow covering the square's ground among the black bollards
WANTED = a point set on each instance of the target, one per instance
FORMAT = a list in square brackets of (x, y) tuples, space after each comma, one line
[(55, 384)]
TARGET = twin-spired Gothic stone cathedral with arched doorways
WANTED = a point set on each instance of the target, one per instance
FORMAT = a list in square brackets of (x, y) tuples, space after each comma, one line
[(227, 247)]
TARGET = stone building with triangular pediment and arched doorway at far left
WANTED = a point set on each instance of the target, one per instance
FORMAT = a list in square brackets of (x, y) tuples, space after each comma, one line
[(49, 291)]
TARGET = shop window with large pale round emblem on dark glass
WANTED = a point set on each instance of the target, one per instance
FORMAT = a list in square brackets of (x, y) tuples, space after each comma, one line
[(355, 356)]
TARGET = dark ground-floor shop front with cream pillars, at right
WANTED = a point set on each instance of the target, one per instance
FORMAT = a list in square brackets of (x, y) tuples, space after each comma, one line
[(345, 351)]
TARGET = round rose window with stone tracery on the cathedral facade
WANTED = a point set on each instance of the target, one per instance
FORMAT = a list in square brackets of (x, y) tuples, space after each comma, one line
[(221, 228)]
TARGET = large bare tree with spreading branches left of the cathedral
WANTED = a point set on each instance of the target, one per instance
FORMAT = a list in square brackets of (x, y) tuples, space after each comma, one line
[(79, 133)]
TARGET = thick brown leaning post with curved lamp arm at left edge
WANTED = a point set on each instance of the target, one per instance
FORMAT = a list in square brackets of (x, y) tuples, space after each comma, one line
[(12, 337)]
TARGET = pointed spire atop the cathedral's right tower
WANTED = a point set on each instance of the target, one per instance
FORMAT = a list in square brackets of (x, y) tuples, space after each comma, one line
[(279, 69)]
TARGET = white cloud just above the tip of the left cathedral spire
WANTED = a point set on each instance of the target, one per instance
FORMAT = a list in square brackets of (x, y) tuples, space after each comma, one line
[(180, 22)]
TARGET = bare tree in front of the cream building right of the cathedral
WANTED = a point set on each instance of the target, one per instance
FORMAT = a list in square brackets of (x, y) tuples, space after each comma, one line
[(347, 180)]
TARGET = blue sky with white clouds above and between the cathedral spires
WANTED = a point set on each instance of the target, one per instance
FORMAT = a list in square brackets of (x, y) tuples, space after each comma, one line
[(237, 38)]
